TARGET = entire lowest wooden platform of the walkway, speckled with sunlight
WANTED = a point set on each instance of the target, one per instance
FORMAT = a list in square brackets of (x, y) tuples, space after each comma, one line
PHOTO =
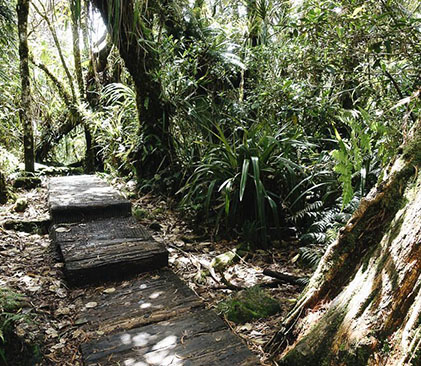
[(157, 320)]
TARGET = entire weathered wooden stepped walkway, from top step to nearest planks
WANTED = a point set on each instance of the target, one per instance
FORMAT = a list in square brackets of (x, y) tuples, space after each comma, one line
[(149, 319)]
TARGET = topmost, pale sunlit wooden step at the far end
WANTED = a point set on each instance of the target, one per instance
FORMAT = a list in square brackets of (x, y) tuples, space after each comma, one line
[(83, 197)]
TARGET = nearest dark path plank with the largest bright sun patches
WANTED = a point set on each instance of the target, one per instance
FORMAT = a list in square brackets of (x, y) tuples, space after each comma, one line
[(198, 338)]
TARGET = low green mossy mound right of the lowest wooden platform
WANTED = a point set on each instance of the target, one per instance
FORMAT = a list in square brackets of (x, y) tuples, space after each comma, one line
[(247, 305)]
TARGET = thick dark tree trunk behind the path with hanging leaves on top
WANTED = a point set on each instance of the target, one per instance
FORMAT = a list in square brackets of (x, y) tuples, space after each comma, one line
[(133, 37)]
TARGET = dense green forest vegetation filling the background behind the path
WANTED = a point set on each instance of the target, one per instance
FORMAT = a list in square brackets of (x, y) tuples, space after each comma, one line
[(264, 119)]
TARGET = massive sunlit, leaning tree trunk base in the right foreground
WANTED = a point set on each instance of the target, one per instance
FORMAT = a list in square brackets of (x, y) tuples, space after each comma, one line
[(363, 304)]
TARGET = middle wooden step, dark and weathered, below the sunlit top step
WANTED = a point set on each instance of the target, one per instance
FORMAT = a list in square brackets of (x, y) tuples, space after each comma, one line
[(106, 249)]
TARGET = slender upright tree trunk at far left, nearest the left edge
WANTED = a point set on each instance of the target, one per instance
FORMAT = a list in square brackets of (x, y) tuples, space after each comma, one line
[(22, 9)]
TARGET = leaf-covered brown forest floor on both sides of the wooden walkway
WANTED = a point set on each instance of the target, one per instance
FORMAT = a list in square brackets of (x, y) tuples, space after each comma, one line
[(51, 311)]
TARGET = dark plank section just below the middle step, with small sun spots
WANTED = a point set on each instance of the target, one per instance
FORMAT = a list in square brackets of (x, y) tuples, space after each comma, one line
[(143, 300)]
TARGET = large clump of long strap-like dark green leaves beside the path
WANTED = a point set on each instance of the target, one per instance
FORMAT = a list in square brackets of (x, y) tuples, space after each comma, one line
[(241, 177)]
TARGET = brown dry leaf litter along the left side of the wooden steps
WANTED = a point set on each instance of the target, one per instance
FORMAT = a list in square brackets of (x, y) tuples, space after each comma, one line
[(29, 266)]
